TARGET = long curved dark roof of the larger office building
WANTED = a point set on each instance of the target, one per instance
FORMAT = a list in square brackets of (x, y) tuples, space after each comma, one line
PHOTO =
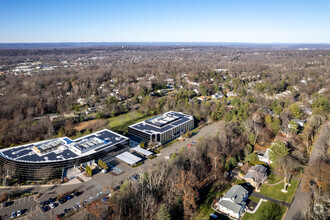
[(60, 149)]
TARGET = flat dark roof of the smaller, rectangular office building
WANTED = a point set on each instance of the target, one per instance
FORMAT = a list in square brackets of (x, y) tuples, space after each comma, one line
[(162, 123)]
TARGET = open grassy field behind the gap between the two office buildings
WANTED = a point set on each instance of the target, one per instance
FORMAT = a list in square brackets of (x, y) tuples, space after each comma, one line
[(121, 122)]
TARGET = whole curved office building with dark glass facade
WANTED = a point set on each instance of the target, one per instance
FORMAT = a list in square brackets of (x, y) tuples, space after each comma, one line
[(49, 159)]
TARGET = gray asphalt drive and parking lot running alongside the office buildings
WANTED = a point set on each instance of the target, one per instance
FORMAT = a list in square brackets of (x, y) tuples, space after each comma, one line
[(97, 184)]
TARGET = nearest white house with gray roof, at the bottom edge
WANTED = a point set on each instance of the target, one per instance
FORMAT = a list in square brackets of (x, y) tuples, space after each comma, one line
[(233, 202)]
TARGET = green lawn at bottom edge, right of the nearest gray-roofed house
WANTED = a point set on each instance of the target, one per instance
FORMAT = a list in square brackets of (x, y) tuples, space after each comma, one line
[(267, 210)]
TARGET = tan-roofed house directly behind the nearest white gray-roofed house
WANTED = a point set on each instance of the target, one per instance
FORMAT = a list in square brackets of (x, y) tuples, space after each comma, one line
[(256, 175)]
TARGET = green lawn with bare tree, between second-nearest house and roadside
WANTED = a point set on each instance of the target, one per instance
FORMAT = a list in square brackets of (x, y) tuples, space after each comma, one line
[(276, 193)]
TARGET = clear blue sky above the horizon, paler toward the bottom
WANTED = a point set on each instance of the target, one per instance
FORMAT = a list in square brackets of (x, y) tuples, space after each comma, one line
[(250, 21)]
